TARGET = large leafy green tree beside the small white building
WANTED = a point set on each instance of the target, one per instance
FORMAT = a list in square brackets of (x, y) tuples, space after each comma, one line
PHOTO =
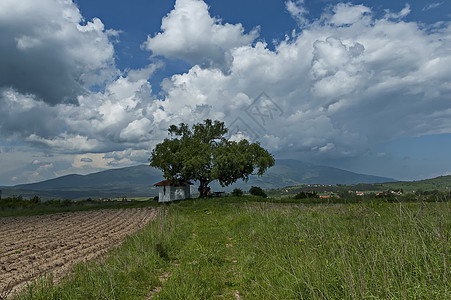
[(203, 153)]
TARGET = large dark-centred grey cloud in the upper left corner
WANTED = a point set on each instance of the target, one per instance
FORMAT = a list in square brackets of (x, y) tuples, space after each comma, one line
[(46, 52)]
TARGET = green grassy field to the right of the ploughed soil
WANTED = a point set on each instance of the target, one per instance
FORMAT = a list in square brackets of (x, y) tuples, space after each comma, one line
[(245, 248)]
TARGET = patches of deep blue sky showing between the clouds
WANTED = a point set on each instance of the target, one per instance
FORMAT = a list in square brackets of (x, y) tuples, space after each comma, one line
[(139, 18)]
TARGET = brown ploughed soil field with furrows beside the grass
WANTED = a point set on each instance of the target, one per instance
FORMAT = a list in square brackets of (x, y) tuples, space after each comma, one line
[(32, 246)]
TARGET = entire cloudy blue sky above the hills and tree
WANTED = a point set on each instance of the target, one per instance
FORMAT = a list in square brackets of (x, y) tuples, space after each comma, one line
[(92, 85)]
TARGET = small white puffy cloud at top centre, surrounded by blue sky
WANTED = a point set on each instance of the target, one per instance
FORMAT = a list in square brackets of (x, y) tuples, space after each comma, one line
[(188, 32)]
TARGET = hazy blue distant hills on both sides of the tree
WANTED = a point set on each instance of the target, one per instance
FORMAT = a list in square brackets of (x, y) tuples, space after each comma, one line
[(138, 181)]
